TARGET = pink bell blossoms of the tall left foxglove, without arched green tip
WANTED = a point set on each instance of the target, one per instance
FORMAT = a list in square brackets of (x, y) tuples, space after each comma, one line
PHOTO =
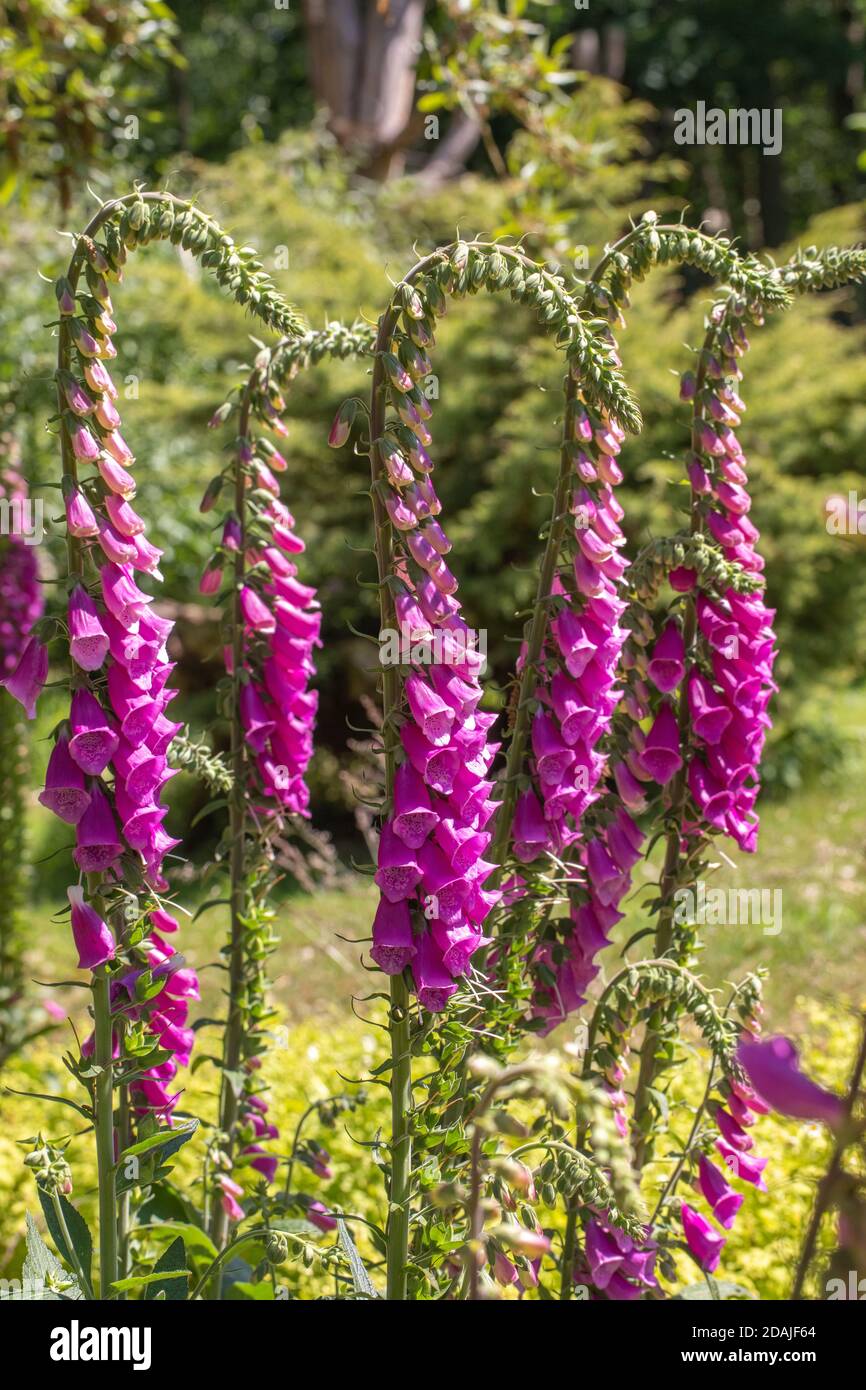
[(109, 764)]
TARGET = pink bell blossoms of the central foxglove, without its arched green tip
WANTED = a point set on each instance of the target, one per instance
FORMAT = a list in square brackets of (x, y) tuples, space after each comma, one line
[(432, 869)]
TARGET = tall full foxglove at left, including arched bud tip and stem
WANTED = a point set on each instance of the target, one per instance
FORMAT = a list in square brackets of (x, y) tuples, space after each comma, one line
[(109, 762)]
